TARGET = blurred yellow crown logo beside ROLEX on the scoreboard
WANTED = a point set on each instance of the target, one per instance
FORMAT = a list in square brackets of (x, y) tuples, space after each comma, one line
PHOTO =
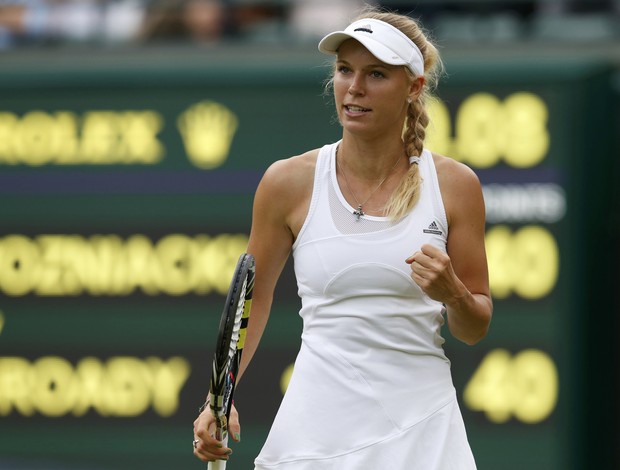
[(207, 129)]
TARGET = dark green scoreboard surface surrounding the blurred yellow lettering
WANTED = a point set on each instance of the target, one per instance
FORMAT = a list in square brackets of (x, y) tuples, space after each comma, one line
[(278, 98)]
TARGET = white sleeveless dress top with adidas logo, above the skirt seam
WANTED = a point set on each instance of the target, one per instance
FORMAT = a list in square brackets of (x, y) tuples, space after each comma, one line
[(371, 360)]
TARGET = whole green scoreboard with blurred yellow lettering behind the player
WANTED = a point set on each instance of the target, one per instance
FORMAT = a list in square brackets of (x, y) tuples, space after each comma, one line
[(126, 187)]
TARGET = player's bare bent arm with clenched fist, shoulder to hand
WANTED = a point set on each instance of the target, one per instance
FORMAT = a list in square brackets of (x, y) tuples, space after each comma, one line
[(460, 278)]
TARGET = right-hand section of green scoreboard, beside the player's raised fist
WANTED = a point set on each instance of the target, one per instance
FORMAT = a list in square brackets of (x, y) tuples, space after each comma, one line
[(526, 127)]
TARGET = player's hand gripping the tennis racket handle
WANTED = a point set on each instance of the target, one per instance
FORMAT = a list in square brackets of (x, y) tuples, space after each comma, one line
[(206, 447)]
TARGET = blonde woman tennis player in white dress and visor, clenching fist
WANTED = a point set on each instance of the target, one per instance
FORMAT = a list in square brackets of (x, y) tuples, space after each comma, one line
[(388, 244)]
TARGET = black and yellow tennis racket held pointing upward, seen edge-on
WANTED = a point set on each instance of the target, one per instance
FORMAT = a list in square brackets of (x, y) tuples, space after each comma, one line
[(228, 348)]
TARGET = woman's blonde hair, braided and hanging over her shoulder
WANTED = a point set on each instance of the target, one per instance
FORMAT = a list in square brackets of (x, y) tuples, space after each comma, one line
[(406, 195)]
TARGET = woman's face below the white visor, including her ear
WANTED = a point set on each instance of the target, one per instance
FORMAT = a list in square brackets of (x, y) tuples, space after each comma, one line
[(370, 95)]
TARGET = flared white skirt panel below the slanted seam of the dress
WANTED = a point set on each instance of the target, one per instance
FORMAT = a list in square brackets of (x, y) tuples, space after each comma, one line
[(438, 442)]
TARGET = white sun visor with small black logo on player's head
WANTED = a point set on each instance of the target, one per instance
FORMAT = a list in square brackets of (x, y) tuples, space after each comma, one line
[(384, 41)]
